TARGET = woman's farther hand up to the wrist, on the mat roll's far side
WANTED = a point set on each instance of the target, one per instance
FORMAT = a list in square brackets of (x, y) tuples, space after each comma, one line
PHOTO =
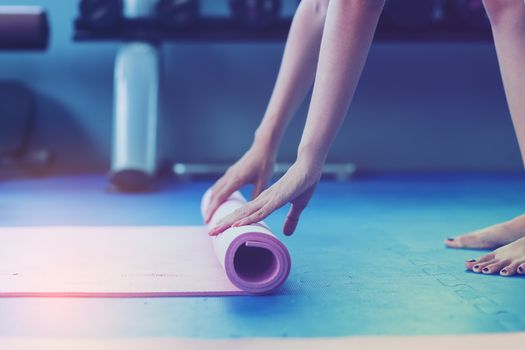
[(255, 167)]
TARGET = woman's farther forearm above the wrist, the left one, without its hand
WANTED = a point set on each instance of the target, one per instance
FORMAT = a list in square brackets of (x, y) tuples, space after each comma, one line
[(296, 73)]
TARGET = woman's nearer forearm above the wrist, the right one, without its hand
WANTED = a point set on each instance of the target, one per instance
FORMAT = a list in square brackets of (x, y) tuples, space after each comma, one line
[(348, 34)]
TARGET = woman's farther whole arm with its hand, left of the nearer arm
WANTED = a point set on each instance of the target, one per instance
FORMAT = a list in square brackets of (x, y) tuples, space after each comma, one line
[(294, 81)]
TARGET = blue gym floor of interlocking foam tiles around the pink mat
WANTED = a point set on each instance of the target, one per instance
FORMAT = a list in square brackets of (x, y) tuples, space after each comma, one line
[(368, 259)]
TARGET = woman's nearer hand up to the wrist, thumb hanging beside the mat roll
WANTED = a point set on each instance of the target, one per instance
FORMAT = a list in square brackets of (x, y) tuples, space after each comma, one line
[(296, 187)]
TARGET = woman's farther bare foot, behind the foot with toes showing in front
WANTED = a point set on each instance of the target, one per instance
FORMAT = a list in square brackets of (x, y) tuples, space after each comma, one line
[(491, 237)]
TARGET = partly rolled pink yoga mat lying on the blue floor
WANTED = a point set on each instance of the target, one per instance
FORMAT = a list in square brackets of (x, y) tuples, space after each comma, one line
[(142, 261)]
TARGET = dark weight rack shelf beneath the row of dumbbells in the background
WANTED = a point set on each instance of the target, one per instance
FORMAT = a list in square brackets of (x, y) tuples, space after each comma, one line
[(223, 29)]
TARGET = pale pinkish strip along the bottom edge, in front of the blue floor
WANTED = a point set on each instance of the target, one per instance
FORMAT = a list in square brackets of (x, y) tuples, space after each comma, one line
[(507, 341)]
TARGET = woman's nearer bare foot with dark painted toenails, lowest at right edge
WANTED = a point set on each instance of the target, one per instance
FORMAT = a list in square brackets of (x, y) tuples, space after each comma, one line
[(507, 261)]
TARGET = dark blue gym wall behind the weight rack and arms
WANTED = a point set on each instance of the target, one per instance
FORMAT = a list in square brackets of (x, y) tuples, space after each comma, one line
[(421, 106)]
